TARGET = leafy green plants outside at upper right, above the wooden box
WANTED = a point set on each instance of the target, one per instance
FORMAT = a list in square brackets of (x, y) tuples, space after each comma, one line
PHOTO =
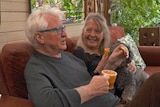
[(133, 14)]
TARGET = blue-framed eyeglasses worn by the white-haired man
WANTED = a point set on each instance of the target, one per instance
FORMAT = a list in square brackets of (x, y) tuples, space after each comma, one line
[(59, 30)]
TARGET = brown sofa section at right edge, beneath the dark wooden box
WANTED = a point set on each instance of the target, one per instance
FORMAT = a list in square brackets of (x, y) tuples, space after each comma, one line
[(150, 55)]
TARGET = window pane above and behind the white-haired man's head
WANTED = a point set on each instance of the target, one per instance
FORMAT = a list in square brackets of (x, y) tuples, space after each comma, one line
[(72, 9)]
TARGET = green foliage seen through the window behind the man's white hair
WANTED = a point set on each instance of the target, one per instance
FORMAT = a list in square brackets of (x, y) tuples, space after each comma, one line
[(73, 8)]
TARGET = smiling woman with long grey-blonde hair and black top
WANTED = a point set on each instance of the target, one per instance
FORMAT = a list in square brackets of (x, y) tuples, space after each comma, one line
[(90, 48)]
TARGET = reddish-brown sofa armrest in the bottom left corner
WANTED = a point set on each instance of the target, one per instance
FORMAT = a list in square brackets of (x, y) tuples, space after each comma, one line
[(9, 101)]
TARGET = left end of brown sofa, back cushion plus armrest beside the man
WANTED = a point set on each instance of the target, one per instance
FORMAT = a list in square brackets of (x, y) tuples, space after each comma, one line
[(13, 58)]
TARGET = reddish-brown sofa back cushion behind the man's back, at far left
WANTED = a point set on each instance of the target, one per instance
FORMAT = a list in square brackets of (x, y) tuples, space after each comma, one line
[(14, 58)]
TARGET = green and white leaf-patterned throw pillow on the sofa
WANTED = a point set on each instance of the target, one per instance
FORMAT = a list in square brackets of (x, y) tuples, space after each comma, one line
[(136, 55)]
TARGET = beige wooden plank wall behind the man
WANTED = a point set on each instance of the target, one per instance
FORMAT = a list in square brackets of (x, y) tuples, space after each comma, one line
[(13, 16)]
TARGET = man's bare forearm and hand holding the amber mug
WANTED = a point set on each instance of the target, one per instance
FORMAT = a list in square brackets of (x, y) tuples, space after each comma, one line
[(99, 85)]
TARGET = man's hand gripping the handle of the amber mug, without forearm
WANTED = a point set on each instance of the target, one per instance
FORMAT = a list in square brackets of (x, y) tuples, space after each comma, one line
[(99, 85)]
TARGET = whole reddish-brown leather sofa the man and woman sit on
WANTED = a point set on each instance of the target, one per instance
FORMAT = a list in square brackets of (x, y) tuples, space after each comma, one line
[(14, 56)]
